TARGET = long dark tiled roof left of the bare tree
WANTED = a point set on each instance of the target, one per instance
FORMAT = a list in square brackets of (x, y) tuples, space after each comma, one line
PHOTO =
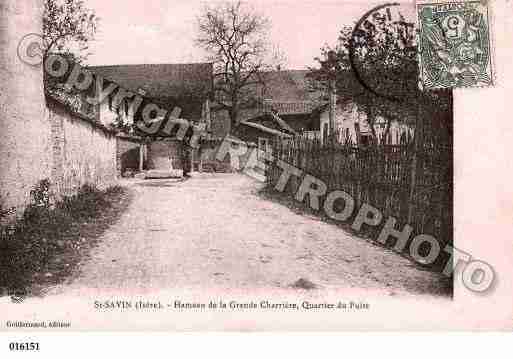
[(162, 80)]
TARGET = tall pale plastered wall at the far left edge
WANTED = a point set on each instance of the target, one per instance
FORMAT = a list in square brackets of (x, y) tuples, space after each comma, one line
[(25, 133)]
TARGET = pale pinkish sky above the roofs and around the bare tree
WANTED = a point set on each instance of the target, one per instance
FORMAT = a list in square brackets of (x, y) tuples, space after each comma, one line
[(163, 31)]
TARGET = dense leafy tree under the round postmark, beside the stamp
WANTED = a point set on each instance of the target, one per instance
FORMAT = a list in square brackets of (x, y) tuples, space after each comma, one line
[(385, 58)]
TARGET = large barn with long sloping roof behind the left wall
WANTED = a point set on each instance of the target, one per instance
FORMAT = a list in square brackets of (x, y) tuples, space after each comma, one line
[(182, 89)]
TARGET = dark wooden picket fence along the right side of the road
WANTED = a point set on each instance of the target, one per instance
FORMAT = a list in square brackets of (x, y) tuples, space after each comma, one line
[(408, 182)]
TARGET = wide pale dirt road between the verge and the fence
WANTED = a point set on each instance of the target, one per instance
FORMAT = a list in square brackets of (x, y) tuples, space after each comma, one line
[(216, 231)]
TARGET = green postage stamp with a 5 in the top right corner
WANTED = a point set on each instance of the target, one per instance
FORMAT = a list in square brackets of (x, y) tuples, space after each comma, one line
[(454, 45)]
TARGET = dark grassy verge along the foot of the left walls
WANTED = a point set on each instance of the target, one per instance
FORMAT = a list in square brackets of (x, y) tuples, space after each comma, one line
[(45, 246)]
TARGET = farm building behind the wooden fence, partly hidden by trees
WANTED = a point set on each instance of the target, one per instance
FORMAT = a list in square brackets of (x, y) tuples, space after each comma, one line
[(285, 107)]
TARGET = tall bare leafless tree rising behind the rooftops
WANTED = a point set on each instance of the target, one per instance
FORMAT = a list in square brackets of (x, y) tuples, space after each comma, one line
[(236, 39)]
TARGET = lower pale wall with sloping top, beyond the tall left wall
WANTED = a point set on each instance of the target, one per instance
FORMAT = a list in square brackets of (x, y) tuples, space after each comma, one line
[(83, 152)]
